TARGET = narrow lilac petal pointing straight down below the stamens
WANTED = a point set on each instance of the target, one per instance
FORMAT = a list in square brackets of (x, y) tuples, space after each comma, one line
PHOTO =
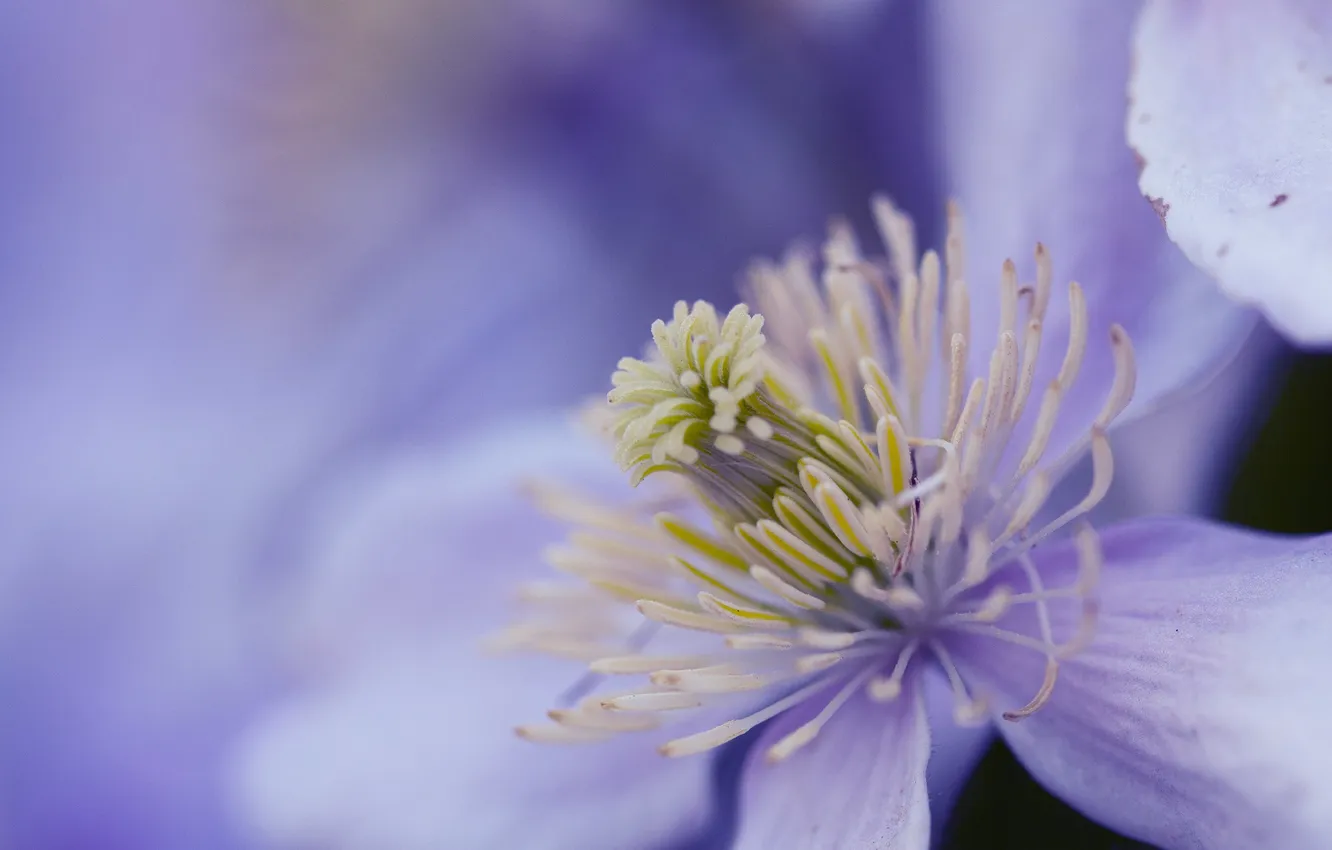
[(860, 784)]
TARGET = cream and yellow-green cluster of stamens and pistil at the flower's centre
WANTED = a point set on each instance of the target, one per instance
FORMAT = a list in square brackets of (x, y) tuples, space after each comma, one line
[(841, 486)]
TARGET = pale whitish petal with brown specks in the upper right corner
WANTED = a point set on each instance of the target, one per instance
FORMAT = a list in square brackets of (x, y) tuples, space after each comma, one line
[(1231, 115)]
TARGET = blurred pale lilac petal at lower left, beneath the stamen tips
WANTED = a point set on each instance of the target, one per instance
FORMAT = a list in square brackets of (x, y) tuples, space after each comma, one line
[(418, 751)]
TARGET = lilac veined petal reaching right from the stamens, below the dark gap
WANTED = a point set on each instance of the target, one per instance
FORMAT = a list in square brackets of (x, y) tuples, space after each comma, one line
[(1195, 717)]
